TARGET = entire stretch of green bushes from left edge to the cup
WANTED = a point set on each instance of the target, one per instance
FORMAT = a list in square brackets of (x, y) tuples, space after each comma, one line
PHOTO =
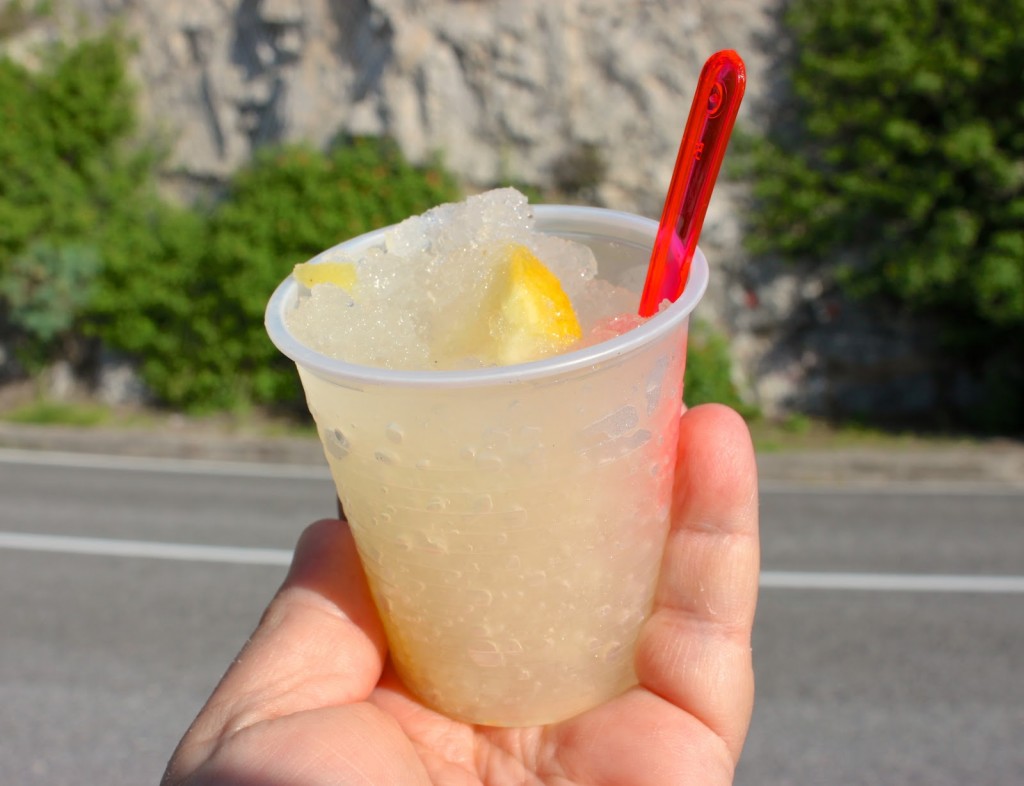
[(182, 291)]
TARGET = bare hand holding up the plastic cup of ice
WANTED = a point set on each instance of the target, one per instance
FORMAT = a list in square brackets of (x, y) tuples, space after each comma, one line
[(312, 700)]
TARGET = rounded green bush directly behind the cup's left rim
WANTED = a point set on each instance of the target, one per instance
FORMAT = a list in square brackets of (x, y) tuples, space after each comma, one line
[(189, 300)]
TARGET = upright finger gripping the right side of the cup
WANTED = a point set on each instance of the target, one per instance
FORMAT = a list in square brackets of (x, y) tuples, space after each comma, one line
[(696, 649)]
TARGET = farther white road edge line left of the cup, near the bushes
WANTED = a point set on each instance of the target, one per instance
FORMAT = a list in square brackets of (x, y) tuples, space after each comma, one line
[(167, 466)]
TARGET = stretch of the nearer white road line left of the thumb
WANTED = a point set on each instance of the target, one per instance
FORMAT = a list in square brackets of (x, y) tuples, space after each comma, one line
[(146, 549)]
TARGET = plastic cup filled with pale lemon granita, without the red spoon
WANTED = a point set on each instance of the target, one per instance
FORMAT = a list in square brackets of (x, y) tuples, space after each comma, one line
[(502, 432)]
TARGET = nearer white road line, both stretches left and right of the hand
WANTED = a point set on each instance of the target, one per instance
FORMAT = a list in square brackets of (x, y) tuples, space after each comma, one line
[(771, 580)]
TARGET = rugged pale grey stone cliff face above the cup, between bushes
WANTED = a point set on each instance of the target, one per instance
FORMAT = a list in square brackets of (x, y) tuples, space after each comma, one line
[(498, 88)]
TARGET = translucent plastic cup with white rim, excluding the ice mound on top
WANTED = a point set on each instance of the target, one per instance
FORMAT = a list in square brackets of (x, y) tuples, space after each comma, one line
[(511, 520)]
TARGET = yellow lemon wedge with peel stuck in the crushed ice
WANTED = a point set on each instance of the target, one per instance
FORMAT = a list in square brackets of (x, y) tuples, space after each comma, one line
[(534, 317)]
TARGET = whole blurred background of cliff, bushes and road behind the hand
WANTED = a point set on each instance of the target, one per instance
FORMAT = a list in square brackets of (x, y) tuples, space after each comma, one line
[(165, 163)]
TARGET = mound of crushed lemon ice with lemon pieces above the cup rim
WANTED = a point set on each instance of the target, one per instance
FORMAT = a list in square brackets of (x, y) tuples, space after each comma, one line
[(462, 286)]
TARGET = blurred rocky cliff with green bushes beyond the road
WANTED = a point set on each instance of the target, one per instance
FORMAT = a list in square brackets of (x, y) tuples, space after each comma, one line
[(166, 164)]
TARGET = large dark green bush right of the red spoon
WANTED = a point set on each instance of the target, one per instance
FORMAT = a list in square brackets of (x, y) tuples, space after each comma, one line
[(902, 155)]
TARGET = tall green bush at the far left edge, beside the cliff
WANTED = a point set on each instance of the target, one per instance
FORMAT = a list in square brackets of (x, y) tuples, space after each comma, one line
[(69, 180)]
